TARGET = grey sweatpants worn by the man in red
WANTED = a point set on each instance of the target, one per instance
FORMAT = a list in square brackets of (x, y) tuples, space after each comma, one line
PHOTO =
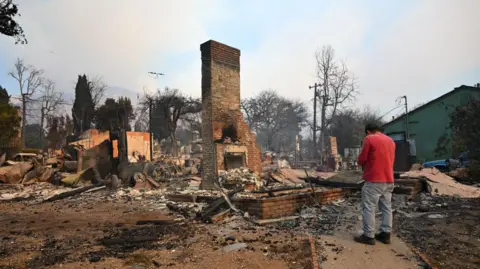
[(374, 194)]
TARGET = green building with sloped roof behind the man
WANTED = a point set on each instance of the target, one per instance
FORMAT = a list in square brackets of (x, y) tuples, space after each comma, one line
[(429, 125)]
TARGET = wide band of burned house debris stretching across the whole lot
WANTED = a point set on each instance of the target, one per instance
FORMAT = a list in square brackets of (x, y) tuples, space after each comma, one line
[(171, 190)]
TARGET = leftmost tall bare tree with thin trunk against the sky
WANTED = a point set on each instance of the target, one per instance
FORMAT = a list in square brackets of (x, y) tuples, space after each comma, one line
[(29, 79)]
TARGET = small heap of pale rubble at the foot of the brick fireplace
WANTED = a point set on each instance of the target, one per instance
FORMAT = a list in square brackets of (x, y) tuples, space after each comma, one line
[(242, 176)]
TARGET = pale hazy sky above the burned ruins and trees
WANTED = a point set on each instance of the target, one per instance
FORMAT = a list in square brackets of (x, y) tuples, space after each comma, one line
[(418, 48)]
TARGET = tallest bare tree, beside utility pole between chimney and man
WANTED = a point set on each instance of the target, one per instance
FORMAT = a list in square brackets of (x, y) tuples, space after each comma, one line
[(338, 88)]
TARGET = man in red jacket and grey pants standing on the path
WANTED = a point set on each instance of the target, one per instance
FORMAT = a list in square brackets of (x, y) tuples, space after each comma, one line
[(376, 158)]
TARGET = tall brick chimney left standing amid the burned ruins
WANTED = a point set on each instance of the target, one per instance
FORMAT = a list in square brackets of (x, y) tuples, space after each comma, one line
[(221, 110)]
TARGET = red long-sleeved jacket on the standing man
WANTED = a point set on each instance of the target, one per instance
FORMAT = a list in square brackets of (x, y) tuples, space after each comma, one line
[(377, 157)]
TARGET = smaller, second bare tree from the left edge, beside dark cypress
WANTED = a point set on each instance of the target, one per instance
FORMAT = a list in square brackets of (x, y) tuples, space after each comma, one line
[(50, 100)]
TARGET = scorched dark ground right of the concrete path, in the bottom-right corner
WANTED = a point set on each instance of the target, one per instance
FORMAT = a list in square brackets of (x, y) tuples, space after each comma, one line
[(432, 222)]
